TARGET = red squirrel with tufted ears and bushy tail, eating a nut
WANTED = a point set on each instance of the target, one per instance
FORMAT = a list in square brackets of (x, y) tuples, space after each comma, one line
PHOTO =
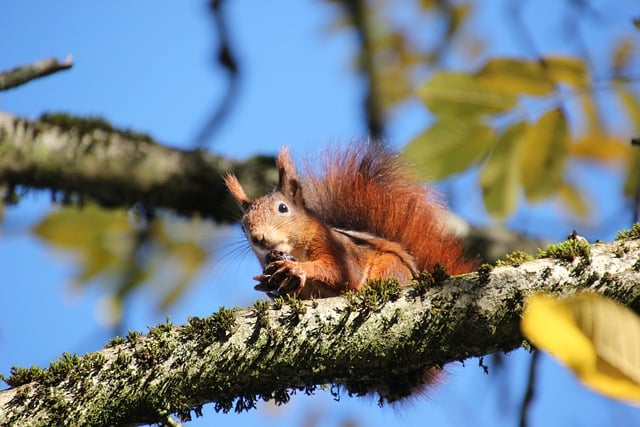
[(360, 216)]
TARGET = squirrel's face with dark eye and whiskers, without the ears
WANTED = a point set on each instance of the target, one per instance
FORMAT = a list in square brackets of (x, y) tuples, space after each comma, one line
[(268, 225)]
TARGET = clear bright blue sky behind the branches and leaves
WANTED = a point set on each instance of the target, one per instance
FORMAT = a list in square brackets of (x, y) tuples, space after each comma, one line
[(148, 66)]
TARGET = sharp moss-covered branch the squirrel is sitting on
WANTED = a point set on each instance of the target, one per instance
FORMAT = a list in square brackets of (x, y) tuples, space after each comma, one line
[(375, 340)]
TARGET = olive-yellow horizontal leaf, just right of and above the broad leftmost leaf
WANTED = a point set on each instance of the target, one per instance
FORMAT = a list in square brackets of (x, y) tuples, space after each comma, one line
[(517, 76)]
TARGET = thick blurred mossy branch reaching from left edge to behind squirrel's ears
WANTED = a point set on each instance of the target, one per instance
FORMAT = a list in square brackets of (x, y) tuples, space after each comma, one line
[(88, 158)]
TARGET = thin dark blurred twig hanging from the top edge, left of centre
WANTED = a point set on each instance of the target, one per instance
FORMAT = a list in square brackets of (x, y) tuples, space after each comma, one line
[(226, 59)]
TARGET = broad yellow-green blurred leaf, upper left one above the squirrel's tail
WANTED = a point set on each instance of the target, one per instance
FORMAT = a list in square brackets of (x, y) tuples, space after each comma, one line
[(461, 95)]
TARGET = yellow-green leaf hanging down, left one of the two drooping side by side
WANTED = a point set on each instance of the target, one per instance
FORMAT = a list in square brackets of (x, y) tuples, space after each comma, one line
[(499, 178)]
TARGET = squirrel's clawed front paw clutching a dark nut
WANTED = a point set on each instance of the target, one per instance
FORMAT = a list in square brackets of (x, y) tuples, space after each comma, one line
[(282, 275)]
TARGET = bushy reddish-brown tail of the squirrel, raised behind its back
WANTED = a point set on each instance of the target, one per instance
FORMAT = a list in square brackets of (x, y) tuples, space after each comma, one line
[(365, 187)]
